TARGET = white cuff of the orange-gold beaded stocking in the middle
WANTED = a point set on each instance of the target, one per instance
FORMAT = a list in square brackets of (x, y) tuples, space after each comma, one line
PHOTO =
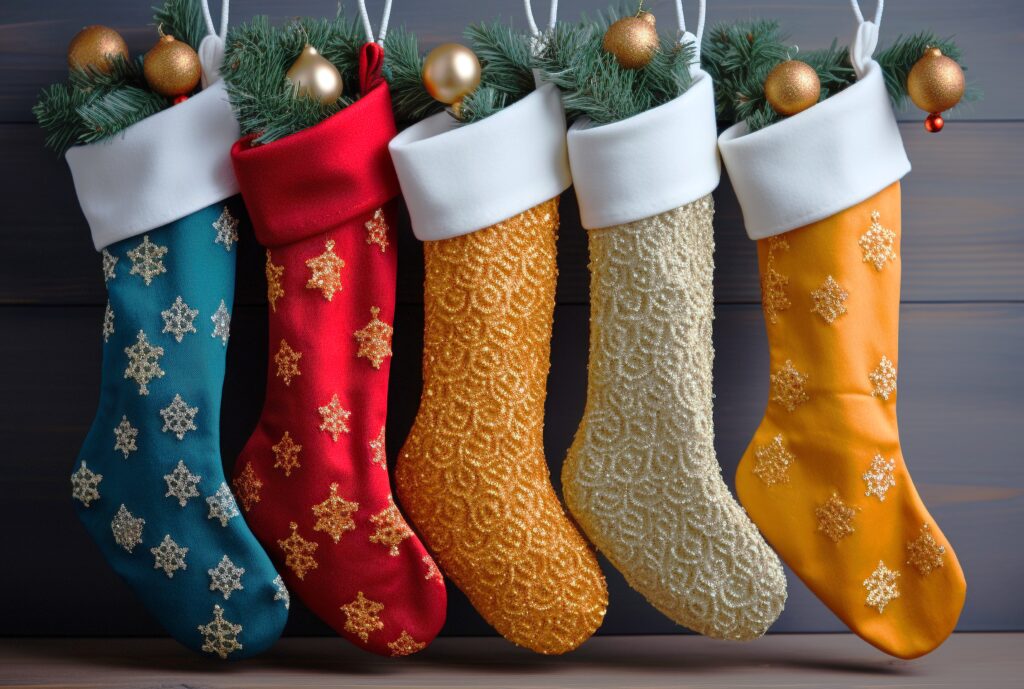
[(457, 180)]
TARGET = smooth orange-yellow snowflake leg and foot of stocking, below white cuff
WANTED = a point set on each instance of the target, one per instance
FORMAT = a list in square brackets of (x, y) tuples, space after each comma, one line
[(825, 478)]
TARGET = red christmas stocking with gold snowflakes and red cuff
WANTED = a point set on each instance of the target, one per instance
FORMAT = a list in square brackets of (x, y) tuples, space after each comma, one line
[(313, 480)]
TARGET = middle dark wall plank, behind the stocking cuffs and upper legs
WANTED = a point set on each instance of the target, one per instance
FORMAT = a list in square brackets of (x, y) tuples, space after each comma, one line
[(964, 228)]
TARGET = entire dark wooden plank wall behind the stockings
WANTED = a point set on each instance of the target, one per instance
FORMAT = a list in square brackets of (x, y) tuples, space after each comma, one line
[(963, 318)]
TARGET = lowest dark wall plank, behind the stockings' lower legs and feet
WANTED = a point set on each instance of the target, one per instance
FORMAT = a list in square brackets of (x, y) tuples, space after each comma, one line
[(960, 401)]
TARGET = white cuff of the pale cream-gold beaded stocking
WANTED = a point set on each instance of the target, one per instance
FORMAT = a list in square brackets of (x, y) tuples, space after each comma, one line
[(648, 164)]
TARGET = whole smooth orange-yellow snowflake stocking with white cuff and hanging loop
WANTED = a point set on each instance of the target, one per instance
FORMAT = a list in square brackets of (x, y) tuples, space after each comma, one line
[(825, 478)]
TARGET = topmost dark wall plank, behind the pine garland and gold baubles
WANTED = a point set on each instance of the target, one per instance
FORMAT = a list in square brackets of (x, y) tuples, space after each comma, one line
[(35, 35)]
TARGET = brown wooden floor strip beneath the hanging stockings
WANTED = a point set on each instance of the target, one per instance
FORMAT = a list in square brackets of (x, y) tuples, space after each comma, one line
[(822, 662)]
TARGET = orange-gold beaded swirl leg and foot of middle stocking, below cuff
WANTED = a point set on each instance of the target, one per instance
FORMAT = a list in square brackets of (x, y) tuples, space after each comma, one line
[(473, 476)]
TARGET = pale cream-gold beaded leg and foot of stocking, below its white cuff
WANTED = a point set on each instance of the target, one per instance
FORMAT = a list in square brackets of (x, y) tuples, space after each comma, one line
[(642, 478)]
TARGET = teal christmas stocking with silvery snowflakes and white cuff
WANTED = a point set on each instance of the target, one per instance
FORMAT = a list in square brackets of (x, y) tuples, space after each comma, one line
[(149, 484)]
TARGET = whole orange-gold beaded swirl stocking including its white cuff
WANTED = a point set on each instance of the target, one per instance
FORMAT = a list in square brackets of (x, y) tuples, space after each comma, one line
[(473, 475)]
